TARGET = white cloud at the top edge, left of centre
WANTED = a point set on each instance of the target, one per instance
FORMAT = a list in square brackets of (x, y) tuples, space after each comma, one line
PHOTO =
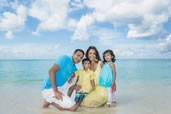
[(51, 13)]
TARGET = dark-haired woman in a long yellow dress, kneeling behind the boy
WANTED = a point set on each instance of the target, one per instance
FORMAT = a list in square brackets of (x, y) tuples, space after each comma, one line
[(98, 97)]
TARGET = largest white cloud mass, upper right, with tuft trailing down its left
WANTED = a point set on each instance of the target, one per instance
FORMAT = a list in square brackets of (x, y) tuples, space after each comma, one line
[(143, 18)]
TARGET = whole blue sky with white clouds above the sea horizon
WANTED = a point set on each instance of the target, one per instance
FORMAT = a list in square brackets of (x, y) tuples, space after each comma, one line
[(46, 29)]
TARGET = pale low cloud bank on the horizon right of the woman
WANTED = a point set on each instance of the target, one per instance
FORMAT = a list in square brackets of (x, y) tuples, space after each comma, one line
[(135, 50)]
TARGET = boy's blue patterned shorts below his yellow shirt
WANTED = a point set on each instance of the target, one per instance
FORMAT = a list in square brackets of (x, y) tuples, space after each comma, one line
[(80, 95)]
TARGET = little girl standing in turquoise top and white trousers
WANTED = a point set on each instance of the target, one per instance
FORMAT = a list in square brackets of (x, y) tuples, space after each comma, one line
[(108, 75)]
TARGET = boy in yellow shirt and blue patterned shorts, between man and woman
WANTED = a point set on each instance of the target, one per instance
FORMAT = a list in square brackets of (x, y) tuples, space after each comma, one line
[(85, 81)]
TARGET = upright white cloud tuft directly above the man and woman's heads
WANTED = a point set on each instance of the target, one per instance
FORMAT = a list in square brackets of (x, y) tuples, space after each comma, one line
[(81, 32)]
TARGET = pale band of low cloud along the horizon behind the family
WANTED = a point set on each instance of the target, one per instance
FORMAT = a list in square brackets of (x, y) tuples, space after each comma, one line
[(52, 51)]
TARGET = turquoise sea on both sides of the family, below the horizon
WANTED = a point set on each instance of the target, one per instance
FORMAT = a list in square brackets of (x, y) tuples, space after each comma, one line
[(33, 71)]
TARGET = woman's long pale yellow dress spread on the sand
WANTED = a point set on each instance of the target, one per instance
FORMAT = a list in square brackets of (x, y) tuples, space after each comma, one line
[(98, 97)]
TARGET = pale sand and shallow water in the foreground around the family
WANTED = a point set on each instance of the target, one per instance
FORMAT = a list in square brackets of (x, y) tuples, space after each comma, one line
[(132, 98)]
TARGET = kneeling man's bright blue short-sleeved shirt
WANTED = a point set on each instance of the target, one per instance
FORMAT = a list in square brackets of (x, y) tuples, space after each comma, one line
[(67, 68)]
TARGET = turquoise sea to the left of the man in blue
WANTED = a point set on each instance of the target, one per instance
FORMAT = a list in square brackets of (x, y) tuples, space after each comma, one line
[(23, 71)]
